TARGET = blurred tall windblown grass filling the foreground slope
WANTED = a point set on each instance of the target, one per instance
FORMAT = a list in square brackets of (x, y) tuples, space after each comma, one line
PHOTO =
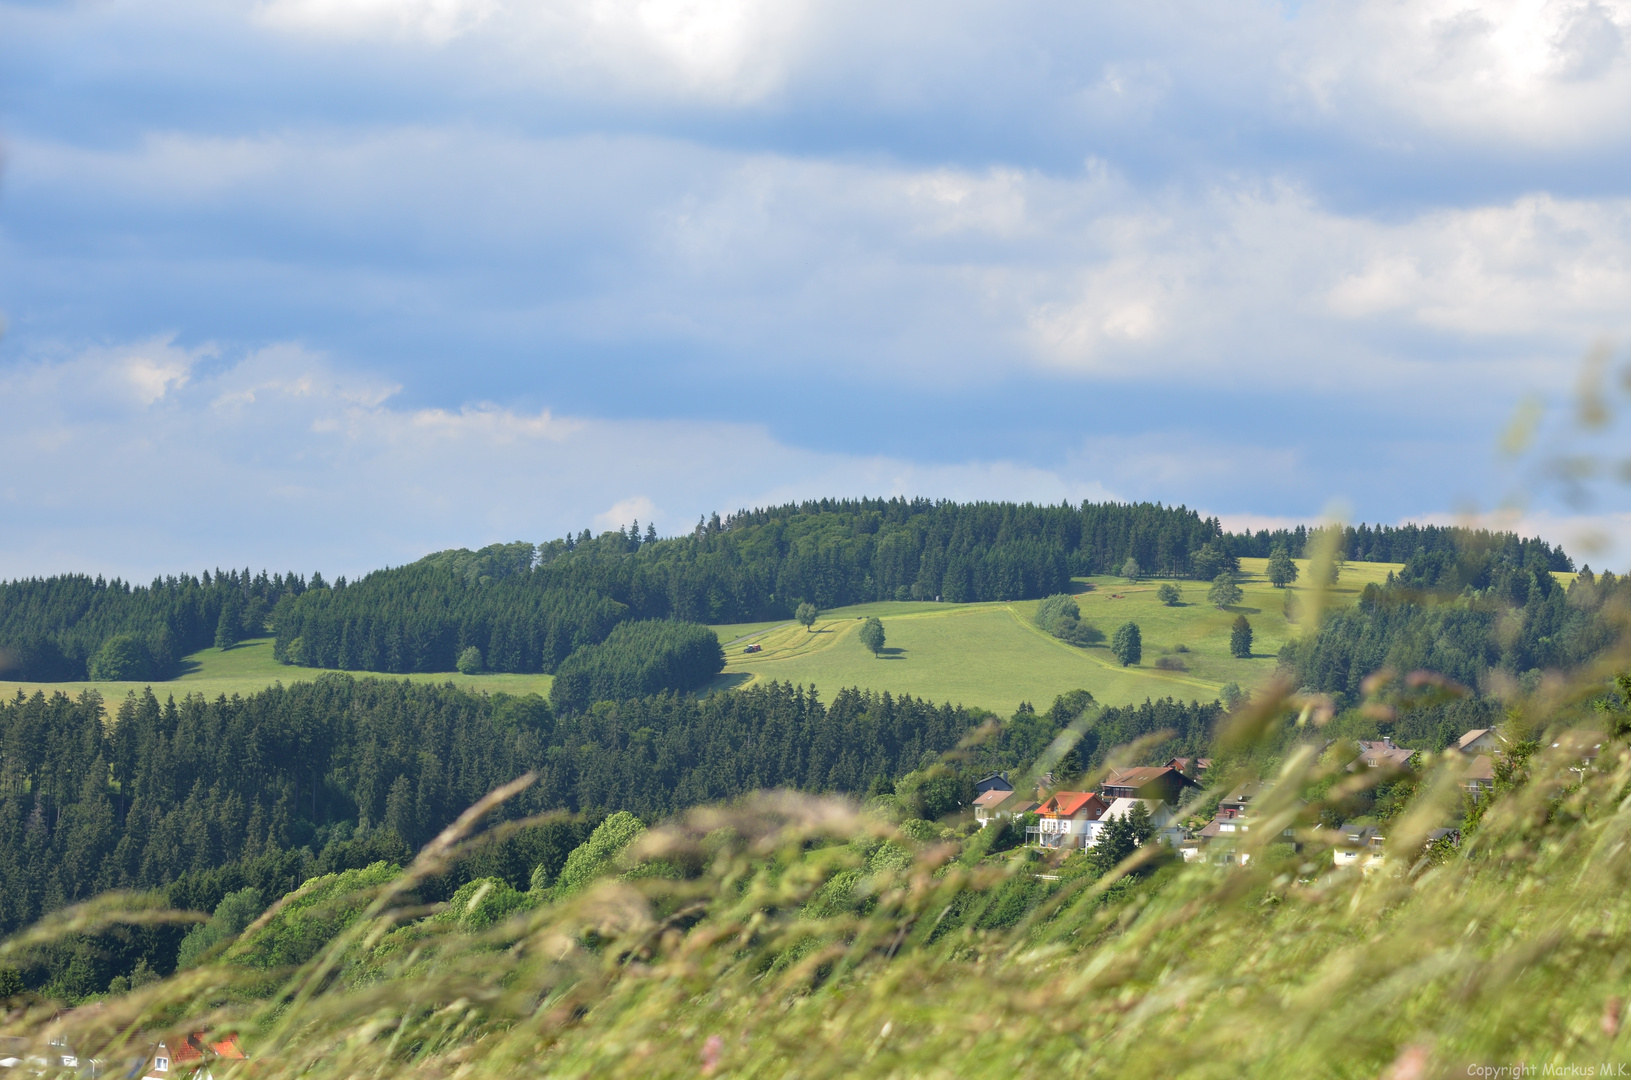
[(793, 937)]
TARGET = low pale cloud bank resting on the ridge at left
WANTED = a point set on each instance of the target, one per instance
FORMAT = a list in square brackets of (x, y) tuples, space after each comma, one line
[(283, 459)]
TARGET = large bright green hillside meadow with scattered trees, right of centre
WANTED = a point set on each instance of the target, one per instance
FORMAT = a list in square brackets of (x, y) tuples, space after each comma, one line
[(994, 657)]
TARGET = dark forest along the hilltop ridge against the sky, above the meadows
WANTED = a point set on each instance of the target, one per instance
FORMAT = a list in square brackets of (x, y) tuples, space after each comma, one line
[(528, 608)]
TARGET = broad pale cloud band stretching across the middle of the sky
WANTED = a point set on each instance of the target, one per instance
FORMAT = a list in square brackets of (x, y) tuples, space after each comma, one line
[(880, 268)]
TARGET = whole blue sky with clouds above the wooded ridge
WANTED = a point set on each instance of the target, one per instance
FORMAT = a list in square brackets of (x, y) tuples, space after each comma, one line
[(329, 285)]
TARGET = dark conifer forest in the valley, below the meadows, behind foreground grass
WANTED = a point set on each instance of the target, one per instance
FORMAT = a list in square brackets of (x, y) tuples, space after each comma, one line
[(340, 772)]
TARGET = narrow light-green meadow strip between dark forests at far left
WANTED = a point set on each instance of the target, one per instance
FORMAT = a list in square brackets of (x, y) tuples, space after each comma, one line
[(250, 668)]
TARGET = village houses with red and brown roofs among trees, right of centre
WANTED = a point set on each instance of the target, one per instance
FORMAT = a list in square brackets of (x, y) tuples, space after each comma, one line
[(1169, 795)]
